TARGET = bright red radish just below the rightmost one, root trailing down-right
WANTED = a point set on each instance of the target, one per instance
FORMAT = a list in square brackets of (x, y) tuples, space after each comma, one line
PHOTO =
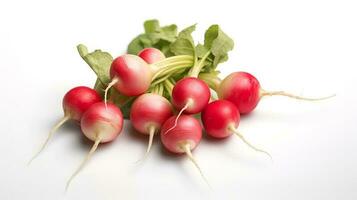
[(221, 119)]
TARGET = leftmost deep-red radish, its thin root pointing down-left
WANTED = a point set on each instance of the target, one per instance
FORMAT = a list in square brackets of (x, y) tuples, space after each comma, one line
[(75, 103)]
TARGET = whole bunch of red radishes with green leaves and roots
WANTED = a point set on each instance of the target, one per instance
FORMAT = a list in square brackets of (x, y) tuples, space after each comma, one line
[(164, 85)]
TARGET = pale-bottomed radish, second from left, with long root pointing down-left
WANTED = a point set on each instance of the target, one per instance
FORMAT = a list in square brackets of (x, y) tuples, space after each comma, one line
[(101, 123)]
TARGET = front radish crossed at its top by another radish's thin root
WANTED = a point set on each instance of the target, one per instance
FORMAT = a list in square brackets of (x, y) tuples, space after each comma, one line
[(183, 138)]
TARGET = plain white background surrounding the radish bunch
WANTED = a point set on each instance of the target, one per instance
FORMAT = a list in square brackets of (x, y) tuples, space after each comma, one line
[(308, 47)]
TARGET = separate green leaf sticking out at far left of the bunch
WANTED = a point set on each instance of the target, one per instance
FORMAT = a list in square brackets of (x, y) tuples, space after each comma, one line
[(99, 61)]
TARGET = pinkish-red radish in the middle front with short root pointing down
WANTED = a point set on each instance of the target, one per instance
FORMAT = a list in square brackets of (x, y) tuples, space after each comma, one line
[(148, 113)]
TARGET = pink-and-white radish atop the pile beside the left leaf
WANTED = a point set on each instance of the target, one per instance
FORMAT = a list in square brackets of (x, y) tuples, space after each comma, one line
[(130, 75)]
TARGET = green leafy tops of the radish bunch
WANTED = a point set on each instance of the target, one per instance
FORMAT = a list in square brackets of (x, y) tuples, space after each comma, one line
[(206, 56)]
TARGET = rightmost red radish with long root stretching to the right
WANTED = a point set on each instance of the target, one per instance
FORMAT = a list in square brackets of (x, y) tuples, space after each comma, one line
[(243, 89)]
